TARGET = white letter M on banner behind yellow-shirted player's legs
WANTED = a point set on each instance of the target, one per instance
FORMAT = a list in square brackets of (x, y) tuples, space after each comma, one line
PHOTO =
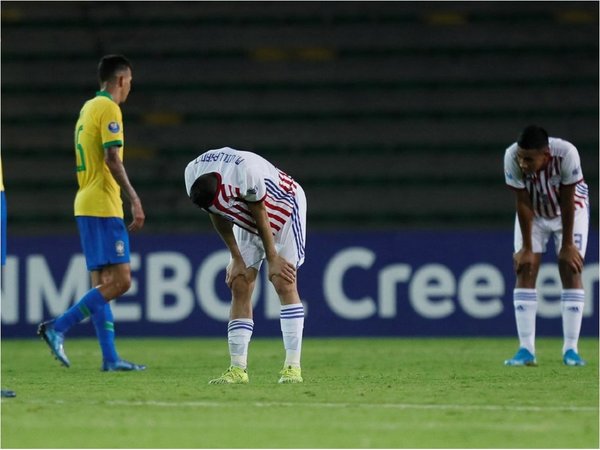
[(42, 290)]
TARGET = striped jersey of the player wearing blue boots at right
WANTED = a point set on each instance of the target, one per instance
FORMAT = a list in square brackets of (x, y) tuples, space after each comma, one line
[(563, 168)]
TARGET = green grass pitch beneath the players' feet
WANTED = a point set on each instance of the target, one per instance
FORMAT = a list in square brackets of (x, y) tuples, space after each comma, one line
[(392, 393)]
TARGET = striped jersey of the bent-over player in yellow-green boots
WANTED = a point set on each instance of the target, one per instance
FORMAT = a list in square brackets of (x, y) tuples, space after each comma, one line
[(246, 177)]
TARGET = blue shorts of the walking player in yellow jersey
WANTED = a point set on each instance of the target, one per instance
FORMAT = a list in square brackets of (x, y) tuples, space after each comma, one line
[(104, 240)]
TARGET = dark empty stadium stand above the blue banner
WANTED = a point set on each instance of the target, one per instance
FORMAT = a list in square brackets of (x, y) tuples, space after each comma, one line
[(392, 115)]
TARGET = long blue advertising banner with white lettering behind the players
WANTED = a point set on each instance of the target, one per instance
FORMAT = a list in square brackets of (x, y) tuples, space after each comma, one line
[(406, 283)]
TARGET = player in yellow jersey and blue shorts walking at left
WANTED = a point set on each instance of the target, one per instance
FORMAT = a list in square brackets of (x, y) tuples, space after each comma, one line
[(101, 177)]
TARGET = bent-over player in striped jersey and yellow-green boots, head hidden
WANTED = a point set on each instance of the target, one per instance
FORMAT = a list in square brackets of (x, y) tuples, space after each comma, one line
[(260, 213)]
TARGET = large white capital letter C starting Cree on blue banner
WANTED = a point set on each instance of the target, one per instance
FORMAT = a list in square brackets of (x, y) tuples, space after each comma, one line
[(333, 280)]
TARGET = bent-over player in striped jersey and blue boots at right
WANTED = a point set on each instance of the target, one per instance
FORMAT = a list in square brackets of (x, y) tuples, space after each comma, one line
[(551, 201)]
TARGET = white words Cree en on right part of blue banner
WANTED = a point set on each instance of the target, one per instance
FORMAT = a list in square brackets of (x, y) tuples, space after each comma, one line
[(432, 289)]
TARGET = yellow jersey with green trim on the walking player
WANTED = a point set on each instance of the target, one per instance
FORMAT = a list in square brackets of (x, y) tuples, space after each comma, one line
[(100, 126)]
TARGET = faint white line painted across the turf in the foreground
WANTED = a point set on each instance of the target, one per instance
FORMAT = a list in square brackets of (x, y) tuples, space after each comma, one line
[(398, 406)]
